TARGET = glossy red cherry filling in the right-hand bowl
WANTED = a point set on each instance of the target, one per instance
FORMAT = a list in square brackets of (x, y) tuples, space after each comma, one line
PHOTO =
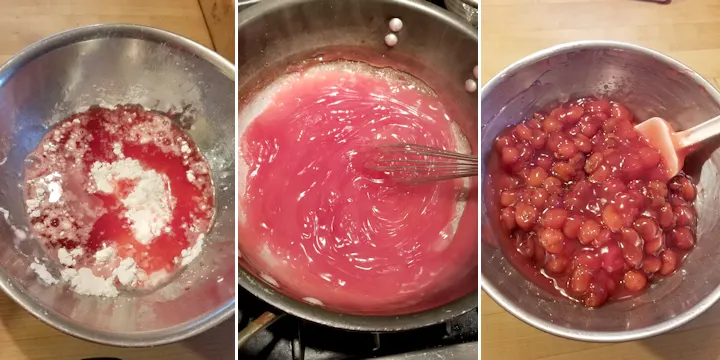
[(585, 206)]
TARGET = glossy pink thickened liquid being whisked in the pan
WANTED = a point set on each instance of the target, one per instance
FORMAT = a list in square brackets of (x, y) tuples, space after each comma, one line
[(315, 222)]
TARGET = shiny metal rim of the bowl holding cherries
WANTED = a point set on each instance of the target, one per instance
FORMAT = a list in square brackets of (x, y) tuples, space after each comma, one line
[(588, 335)]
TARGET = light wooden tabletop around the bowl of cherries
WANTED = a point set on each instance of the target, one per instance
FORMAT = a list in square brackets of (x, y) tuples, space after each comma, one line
[(687, 30)]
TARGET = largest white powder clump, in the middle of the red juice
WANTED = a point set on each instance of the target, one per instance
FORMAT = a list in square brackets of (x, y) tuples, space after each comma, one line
[(148, 206)]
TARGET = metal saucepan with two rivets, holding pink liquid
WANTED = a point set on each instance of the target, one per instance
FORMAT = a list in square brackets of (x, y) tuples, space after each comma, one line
[(434, 46)]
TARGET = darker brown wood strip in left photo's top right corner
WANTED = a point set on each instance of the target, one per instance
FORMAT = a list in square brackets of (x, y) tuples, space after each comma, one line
[(220, 19)]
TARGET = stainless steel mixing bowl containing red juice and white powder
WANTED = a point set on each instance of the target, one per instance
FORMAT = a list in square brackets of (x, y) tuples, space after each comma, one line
[(120, 64)]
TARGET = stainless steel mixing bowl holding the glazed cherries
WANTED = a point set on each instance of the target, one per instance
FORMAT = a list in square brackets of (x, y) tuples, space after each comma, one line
[(650, 84)]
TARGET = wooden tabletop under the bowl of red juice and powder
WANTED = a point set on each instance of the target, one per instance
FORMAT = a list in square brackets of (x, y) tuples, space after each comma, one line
[(23, 22)]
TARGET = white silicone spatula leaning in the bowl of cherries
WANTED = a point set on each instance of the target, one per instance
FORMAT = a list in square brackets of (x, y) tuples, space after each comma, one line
[(675, 146)]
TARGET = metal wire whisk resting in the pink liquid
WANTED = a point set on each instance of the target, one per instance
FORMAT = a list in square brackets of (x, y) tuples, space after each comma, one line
[(414, 164)]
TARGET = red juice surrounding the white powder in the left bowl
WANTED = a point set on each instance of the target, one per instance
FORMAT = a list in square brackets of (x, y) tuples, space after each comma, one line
[(71, 215)]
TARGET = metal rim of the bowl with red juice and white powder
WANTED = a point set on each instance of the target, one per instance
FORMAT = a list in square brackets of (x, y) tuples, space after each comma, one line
[(105, 31)]
